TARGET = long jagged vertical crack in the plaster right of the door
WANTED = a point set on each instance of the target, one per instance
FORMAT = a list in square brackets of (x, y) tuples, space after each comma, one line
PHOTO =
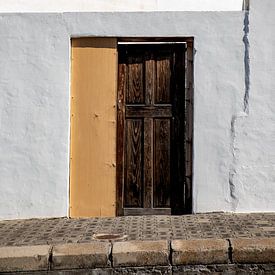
[(245, 112)]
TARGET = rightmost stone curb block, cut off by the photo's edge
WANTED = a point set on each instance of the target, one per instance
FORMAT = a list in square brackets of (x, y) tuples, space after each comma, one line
[(253, 250)]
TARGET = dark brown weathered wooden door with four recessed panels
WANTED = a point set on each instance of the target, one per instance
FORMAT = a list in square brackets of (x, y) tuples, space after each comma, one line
[(150, 129)]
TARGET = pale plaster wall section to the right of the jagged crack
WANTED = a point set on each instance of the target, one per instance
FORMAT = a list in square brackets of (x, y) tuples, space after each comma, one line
[(254, 144)]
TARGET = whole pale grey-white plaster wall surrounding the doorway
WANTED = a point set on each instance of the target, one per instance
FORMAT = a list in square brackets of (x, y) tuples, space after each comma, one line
[(234, 138)]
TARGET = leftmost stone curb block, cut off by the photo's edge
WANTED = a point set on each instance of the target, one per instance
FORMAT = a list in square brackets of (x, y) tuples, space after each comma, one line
[(24, 258)]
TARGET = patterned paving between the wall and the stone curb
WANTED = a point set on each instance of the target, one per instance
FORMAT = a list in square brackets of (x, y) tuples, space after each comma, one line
[(64, 230)]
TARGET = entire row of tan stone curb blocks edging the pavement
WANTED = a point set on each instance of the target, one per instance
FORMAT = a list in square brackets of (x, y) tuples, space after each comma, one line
[(137, 254)]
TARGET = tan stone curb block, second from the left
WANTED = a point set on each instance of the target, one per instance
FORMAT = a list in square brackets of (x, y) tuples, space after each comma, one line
[(88, 255)]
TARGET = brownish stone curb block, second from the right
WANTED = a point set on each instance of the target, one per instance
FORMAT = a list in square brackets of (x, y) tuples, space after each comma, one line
[(200, 251)]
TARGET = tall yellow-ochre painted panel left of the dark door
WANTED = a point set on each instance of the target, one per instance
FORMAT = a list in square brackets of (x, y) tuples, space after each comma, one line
[(93, 127)]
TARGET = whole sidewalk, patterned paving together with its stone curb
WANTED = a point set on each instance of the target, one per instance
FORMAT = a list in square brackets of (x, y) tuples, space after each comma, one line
[(213, 239)]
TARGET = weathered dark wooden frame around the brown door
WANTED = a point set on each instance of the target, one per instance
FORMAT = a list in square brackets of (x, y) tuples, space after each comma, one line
[(189, 98)]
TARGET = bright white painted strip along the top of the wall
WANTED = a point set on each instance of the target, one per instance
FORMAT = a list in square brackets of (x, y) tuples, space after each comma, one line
[(118, 5)]
